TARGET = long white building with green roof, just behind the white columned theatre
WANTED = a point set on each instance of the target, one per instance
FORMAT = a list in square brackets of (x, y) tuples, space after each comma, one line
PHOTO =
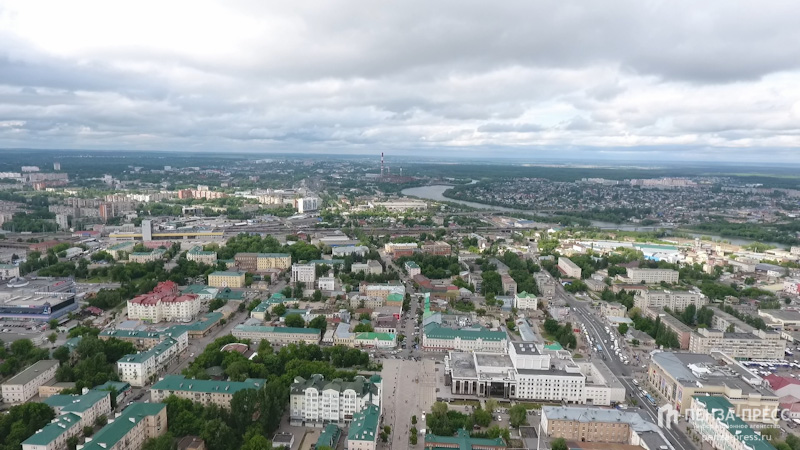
[(438, 338)]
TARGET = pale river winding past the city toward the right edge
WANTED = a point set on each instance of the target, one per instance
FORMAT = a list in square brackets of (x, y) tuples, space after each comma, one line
[(436, 192)]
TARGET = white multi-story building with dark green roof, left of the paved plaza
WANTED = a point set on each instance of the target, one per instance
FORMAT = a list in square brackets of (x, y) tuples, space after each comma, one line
[(317, 402)]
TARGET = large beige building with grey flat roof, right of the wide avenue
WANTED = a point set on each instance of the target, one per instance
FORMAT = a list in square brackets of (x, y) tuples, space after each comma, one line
[(680, 376)]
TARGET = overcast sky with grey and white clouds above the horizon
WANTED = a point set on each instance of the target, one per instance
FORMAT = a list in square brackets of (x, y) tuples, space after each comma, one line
[(695, 79)]
